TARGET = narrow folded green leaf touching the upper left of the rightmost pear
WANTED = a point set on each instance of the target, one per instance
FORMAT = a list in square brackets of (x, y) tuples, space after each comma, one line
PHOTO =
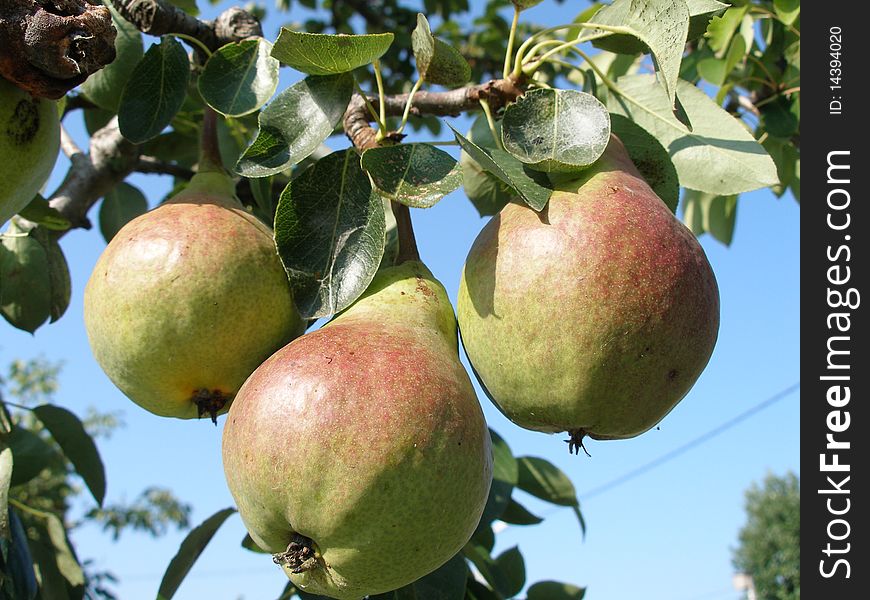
[(526, 184)]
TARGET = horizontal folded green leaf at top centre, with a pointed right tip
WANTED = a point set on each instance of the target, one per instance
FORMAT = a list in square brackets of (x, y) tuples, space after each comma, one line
[(329, 54)]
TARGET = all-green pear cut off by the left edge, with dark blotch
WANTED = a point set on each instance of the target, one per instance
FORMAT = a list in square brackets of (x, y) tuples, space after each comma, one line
[(29, 144)]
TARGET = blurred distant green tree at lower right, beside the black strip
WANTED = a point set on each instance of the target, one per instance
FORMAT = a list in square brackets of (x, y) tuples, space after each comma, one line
[(769, 548)]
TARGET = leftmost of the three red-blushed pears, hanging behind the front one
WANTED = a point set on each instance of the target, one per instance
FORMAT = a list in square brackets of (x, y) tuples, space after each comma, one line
[(187, 300)]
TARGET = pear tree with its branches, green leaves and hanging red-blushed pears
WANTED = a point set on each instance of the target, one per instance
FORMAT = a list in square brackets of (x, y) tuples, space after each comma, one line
[(279, 287)]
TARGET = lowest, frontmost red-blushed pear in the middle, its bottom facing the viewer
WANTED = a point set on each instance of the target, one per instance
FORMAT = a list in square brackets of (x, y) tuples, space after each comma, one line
[(358, 454)]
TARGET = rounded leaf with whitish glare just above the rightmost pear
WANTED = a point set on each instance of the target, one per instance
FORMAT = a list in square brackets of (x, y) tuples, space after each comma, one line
[(556, 130)]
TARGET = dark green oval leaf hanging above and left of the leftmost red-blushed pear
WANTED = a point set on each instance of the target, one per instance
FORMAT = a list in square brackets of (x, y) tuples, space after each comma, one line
[(155, 91)]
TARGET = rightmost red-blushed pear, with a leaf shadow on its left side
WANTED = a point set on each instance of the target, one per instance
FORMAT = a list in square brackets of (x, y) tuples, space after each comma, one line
[(595, 316)]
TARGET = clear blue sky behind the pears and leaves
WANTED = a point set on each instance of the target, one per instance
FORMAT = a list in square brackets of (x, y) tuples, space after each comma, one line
[(664, 535)]
